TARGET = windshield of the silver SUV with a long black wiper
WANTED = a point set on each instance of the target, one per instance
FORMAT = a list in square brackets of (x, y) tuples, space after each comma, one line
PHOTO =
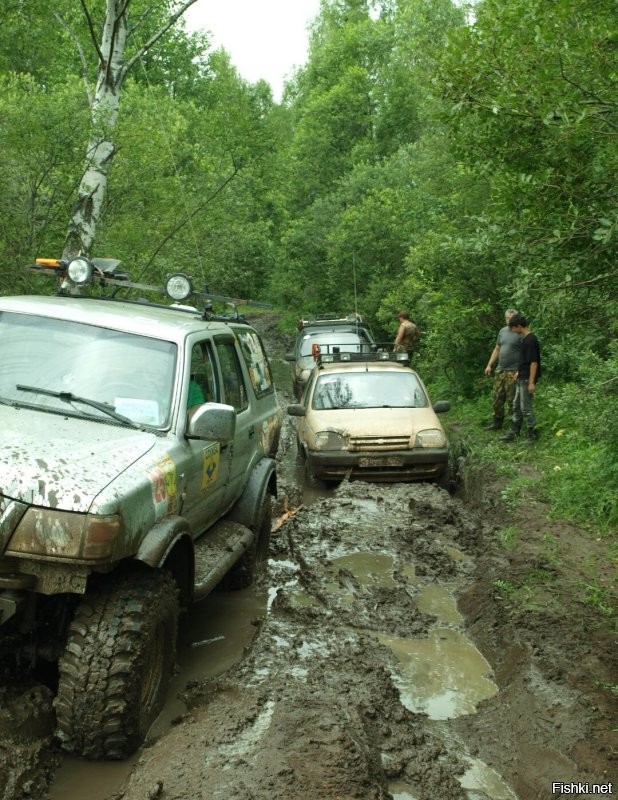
[(133, 375)]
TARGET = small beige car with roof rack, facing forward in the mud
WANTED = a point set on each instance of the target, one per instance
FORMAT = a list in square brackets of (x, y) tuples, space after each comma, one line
[(369, 416)]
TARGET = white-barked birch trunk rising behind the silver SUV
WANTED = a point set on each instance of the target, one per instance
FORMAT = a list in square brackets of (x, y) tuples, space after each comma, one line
[(104, 100)]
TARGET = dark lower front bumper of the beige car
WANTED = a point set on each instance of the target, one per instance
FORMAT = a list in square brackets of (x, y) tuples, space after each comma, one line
[(425, 463)]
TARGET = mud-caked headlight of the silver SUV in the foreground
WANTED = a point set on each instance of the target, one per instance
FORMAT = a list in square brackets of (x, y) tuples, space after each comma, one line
[(64, 534)]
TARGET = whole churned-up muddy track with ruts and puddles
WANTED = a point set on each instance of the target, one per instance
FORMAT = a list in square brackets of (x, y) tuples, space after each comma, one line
[(380, 662)]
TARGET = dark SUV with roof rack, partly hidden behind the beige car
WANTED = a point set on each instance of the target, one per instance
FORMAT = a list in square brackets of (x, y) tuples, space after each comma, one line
[(326, 334)]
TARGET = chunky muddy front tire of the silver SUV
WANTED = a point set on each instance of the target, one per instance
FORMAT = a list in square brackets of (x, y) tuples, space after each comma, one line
[(115, 670)]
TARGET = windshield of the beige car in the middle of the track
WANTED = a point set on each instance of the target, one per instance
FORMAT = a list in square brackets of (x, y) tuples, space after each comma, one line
[(369, 390)]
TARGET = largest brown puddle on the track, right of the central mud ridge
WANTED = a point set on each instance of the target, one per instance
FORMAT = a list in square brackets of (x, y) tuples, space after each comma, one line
[(443, 676)]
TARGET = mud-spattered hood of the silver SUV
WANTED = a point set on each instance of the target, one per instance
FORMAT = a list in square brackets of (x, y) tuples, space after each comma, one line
[(62, 462)]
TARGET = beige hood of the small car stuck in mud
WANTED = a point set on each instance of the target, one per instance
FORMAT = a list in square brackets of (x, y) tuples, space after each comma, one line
[(375, 421)]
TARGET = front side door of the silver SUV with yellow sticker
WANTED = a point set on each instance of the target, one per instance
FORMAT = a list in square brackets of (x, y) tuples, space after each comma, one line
[(209, 462)]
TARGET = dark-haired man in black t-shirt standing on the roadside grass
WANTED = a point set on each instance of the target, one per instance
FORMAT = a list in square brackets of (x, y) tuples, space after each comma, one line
[(528, 373)]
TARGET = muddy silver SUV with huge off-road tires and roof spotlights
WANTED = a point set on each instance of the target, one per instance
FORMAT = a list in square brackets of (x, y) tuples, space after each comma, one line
[(136, 473)]
